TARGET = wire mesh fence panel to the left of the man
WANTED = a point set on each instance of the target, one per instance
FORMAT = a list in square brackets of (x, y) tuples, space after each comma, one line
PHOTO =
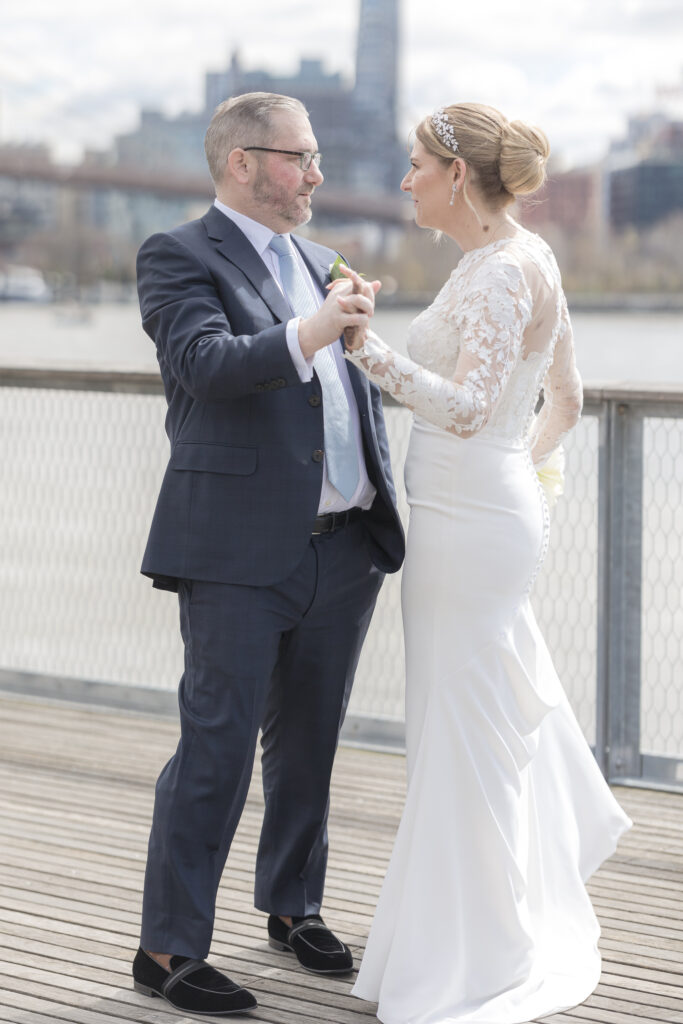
[(79, 477)]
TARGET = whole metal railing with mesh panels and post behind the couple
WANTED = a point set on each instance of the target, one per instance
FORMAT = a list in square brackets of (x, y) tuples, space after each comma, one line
[(81, 458)]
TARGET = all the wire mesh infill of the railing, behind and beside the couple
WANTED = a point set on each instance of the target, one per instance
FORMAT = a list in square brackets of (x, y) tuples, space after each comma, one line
[(79, 477)]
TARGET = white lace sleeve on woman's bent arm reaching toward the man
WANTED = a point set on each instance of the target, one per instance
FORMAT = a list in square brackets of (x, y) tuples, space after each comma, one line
[(490, 330)]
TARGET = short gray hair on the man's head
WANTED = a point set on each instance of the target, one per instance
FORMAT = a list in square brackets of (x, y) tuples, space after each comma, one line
[(243, 121)]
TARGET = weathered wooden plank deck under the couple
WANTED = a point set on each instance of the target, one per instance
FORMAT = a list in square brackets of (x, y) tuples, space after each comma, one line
[(76, 791)]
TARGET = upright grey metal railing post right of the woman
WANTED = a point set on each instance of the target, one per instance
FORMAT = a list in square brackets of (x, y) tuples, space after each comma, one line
[(620, 581)]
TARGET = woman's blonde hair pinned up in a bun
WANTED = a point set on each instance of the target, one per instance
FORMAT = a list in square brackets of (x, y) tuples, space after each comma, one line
[(506, 159)]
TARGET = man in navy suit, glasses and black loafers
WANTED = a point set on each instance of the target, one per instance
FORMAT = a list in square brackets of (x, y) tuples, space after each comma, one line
[(276, 524)]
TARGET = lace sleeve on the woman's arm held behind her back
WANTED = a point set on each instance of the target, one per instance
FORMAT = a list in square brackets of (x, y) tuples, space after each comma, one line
[(563, 397)]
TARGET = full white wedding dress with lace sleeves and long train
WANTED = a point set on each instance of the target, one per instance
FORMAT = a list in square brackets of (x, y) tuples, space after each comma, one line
[(484, 916)]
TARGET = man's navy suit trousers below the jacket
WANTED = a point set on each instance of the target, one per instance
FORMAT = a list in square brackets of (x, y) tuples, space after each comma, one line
[(280, 659)]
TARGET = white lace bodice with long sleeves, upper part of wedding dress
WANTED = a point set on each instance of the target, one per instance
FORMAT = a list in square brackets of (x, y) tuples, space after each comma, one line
[(496, 334)]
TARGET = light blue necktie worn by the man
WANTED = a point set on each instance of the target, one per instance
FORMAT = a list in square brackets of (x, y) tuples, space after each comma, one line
[(340, 448)]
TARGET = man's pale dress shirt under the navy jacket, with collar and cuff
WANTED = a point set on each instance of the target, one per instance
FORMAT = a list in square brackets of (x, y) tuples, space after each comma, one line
[(260, 236)]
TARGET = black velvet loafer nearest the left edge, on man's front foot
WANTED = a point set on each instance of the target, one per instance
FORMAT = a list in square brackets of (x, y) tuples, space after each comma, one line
[(192, 987)]
